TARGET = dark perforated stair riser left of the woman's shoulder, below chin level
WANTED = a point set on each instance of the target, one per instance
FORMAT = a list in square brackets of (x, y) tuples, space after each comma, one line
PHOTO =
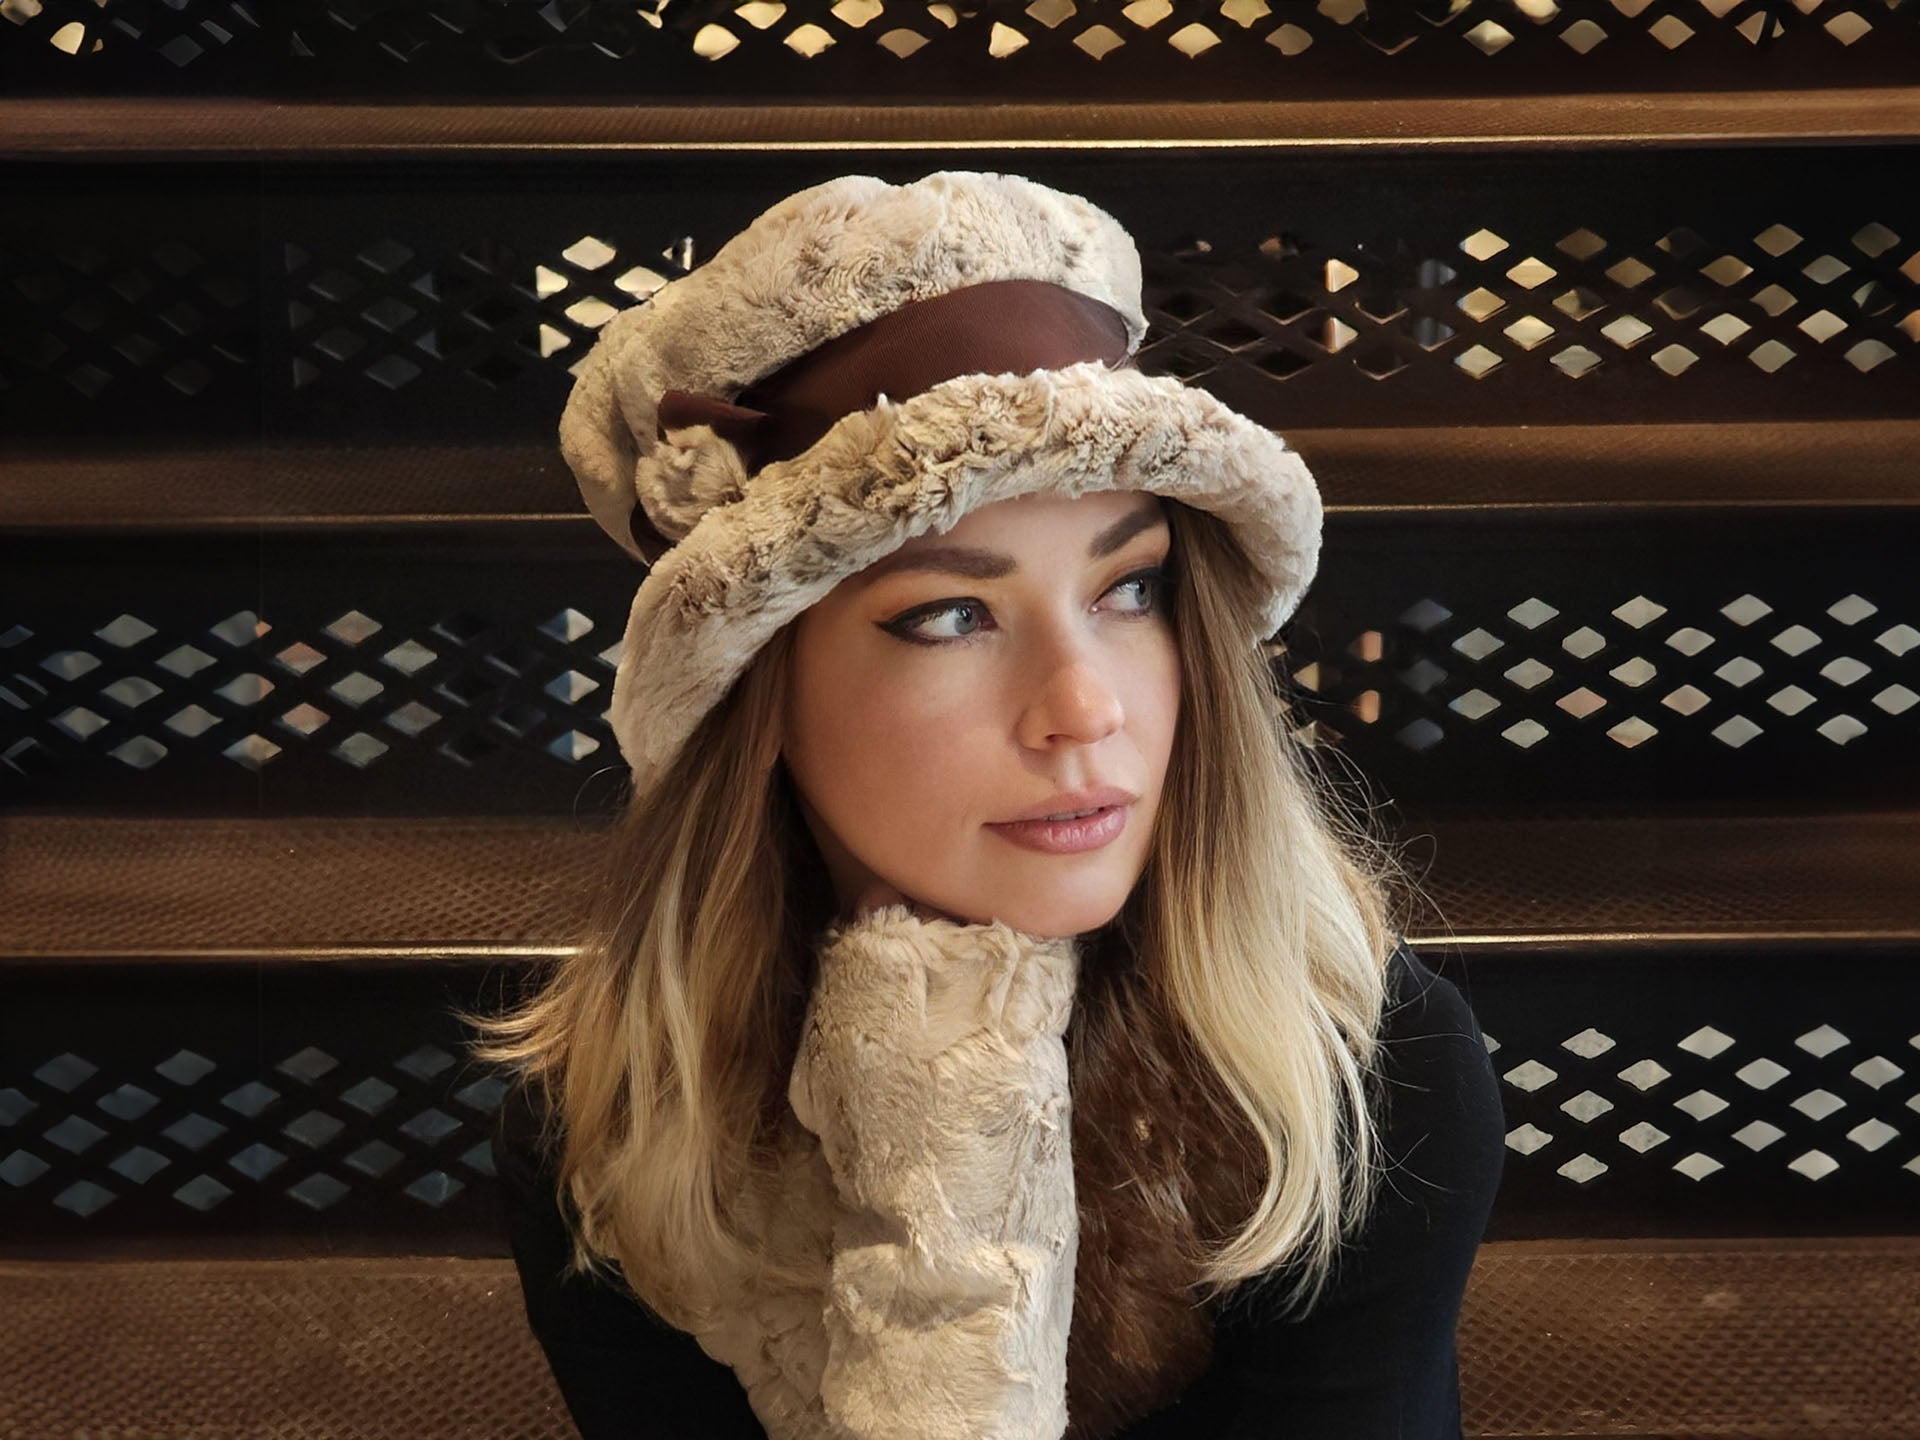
[(324, 1103)]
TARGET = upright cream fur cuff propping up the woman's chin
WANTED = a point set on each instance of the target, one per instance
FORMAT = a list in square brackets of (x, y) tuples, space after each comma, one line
[(934, 1070)]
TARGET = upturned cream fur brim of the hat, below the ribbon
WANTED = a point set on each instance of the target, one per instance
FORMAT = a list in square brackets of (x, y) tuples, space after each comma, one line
[(900, 469)]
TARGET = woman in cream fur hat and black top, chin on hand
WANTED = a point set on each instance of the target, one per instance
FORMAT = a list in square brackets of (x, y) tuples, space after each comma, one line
[(873, 1107)]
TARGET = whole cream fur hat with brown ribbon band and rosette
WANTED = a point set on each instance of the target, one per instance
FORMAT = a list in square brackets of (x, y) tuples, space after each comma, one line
[(869, 362)]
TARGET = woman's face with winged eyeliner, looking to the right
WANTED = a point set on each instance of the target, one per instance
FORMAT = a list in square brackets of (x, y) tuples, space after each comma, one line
[(971, 679)]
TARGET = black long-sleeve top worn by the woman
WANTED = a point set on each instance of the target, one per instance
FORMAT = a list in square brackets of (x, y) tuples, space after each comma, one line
[(1372, 1360)]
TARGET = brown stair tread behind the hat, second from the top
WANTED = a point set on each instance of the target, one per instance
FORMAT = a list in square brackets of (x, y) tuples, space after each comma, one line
[(1378, 471)]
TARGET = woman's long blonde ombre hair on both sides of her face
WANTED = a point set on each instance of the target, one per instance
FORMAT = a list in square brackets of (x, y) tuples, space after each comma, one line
[(1262, 928)]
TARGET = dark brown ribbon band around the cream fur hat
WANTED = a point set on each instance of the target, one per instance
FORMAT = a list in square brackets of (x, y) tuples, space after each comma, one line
[(980, 329)]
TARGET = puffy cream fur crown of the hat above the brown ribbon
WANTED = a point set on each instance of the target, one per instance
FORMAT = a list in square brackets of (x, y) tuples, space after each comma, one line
[(823, 262)]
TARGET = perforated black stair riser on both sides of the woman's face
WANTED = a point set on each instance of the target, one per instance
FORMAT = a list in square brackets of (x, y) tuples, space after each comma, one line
[(1458, 658)]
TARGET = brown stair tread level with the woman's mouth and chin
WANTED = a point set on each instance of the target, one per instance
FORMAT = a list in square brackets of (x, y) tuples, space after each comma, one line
[(128, 888)]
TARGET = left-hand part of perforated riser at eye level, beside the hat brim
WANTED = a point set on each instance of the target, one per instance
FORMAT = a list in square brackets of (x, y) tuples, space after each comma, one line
[(347, 671)]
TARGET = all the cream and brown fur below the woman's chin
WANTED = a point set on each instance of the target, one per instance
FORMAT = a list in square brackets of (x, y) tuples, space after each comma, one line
[(988, 1253)]
